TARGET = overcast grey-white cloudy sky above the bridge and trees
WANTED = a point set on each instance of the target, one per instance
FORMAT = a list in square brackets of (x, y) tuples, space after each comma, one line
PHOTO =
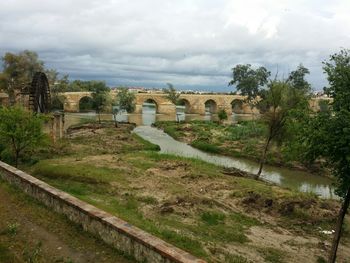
[(192, 44)]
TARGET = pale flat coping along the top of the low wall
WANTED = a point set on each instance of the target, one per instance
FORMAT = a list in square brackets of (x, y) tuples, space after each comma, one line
[(159, 246)]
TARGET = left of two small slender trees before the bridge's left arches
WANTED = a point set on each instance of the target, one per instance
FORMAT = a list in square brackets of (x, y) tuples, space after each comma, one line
[(100, 98)]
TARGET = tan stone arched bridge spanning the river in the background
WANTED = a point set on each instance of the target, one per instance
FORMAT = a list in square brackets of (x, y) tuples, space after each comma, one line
[(194, 103)]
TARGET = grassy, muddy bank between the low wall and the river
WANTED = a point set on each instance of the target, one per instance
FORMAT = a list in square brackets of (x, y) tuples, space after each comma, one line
[(186, 202)]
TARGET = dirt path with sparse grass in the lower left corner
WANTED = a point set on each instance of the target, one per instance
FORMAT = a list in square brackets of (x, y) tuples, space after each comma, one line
[(29, 232)]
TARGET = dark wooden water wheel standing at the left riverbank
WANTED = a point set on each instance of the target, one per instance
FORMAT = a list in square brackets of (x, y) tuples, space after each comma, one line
[(39, 93)]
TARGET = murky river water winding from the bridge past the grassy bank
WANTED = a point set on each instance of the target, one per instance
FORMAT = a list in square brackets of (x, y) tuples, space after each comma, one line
[(293, 179)]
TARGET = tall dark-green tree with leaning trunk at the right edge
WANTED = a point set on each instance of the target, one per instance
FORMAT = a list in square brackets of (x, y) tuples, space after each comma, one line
[(328, 136)]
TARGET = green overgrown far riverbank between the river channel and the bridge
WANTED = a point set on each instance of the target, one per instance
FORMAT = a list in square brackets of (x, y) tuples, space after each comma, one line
[(244, 139)]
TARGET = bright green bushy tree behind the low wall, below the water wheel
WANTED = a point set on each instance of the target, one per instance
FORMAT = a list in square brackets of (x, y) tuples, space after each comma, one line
[(20, 130)]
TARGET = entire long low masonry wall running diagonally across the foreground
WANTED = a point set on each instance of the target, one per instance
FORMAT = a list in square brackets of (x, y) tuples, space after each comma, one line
[(114, 231)]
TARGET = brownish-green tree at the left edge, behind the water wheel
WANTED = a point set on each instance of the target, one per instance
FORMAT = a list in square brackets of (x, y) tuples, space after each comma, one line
[(18, 71)]
